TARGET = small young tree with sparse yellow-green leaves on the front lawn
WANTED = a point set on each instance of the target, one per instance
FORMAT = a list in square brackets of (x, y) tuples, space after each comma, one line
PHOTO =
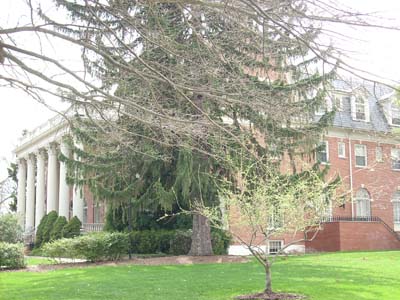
[(267, 204)]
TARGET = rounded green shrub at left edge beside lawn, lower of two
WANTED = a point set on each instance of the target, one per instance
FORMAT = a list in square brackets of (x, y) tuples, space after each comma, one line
[(12, 255)]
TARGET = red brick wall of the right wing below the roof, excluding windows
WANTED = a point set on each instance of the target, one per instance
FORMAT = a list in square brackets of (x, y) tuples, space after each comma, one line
[(377, 177)]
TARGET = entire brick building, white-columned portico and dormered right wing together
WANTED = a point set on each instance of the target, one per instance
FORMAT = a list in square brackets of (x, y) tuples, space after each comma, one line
[(361, 146)]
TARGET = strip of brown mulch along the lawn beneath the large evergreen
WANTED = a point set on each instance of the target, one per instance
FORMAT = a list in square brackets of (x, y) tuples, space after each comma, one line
[(151, 261)]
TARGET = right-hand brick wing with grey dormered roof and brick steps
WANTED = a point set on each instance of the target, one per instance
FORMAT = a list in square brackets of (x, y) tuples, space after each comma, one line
[(361, 146)]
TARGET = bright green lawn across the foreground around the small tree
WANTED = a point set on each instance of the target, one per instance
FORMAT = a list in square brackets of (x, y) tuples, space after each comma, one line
[(346, 276)]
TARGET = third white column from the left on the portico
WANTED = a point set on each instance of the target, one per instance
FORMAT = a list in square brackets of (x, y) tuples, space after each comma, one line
[(40, 187)]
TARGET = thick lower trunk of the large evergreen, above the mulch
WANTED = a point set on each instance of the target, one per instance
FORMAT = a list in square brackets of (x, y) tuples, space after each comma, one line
[(201, 236)]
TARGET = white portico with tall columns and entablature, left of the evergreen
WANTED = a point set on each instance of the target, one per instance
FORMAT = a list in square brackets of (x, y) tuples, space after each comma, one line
[(42, 185)]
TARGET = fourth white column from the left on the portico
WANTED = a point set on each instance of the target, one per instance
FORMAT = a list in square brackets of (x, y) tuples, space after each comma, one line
[(52, 179)]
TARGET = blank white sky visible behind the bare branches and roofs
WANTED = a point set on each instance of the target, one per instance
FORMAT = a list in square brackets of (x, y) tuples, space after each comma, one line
[(376, 51)]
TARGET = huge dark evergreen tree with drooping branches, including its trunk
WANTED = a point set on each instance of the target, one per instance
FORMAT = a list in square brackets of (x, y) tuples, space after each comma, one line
[(193, 85)]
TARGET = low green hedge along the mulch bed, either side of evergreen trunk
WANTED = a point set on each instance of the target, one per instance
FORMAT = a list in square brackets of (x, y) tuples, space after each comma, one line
[(112, 246)]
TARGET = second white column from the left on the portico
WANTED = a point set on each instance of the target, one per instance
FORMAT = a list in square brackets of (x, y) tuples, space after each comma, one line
[(30, 195)]
